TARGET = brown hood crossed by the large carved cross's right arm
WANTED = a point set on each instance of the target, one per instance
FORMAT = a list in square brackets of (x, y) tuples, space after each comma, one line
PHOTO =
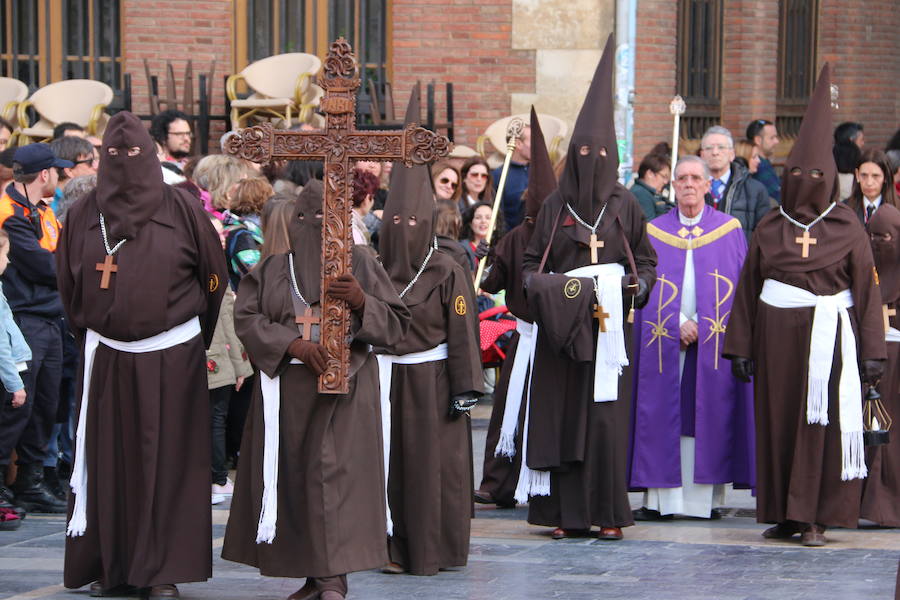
[(407, 227)]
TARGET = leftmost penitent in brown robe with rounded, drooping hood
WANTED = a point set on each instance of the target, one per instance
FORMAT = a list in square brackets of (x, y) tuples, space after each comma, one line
[(147, 424)]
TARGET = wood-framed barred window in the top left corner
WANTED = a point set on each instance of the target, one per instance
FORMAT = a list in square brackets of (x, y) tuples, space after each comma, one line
[(42, 42)]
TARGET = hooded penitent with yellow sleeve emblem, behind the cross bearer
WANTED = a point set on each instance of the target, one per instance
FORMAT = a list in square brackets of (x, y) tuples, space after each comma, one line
[(429, 479)]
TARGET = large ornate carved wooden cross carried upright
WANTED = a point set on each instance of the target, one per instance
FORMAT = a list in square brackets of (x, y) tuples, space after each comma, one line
[(339, 146)]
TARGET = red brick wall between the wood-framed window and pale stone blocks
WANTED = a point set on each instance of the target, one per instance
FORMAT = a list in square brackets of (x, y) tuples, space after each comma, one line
[(467, 42)]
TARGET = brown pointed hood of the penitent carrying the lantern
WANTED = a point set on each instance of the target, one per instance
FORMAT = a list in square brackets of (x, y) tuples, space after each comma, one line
[(810, 171)]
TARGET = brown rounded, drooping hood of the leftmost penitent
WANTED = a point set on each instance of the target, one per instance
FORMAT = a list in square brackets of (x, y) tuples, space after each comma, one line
[(129, 188)]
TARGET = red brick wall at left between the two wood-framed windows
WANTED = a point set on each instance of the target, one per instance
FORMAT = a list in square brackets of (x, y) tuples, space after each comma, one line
[(178, 30)]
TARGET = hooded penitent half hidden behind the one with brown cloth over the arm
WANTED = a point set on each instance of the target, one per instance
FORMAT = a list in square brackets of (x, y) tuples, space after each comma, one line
[(501, 473)]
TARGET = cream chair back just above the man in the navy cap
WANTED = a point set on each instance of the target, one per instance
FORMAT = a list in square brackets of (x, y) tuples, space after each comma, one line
[(72, 100)]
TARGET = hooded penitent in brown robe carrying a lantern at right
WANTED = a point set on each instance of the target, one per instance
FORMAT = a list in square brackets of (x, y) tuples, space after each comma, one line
[(799, 464)]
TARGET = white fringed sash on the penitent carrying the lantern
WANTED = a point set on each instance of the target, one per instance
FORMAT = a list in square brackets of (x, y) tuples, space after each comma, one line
[(828, 309)]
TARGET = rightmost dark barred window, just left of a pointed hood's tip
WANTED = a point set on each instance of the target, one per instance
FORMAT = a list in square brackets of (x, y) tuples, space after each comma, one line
[(796, 63)]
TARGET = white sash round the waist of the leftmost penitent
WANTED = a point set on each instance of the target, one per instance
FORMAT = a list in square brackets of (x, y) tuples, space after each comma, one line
[(161, 341)]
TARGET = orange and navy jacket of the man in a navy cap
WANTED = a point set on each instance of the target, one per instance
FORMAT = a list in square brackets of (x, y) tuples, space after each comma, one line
[(29, 281)]
